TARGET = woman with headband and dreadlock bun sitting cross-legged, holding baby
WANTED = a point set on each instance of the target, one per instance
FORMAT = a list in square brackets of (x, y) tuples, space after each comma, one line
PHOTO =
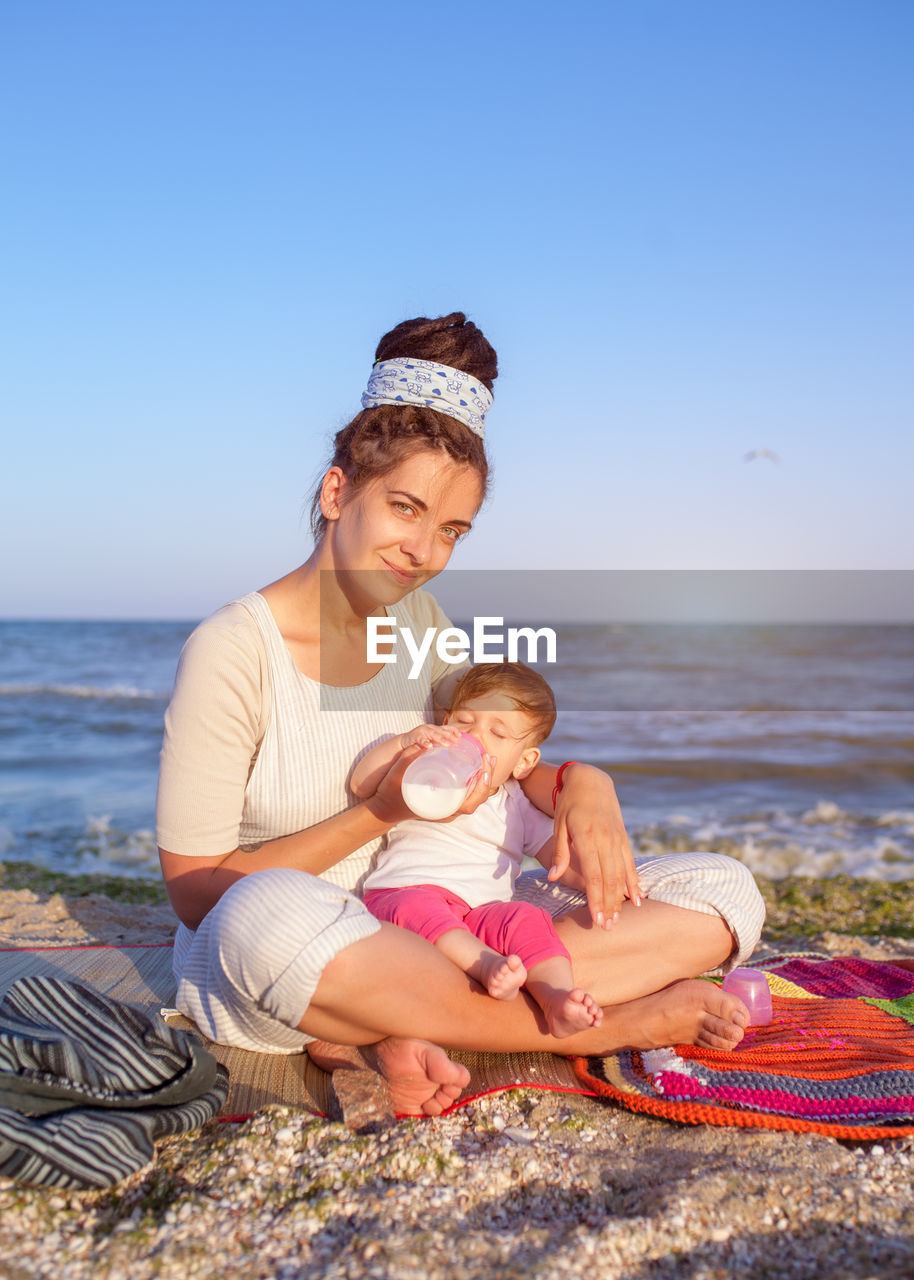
[(275, 702)]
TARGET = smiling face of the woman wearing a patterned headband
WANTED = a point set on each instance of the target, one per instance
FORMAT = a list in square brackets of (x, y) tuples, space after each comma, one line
[(403, 527)]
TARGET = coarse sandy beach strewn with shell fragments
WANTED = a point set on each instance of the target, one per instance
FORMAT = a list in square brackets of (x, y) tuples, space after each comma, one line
[(515, 1185)]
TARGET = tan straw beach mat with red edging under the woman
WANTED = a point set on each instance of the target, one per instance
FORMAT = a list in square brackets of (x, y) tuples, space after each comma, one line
[(141, 975)]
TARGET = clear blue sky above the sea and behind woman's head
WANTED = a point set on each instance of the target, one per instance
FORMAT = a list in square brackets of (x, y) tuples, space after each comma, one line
[(685, 225)]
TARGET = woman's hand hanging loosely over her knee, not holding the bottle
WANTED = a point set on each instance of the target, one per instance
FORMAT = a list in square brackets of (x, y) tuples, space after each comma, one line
[(592, 845)]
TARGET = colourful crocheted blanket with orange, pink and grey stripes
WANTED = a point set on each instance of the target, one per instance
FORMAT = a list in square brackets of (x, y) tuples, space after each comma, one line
[(838, 1059)]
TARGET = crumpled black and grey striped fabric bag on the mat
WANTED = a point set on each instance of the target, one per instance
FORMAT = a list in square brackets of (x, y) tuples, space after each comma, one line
[(89, 1085)]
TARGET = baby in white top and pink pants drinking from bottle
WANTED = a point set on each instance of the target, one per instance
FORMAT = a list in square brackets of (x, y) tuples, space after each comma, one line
[(453, 881)]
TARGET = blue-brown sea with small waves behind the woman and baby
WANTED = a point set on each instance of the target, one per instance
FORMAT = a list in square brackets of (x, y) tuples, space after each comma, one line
[(788, 747)]
